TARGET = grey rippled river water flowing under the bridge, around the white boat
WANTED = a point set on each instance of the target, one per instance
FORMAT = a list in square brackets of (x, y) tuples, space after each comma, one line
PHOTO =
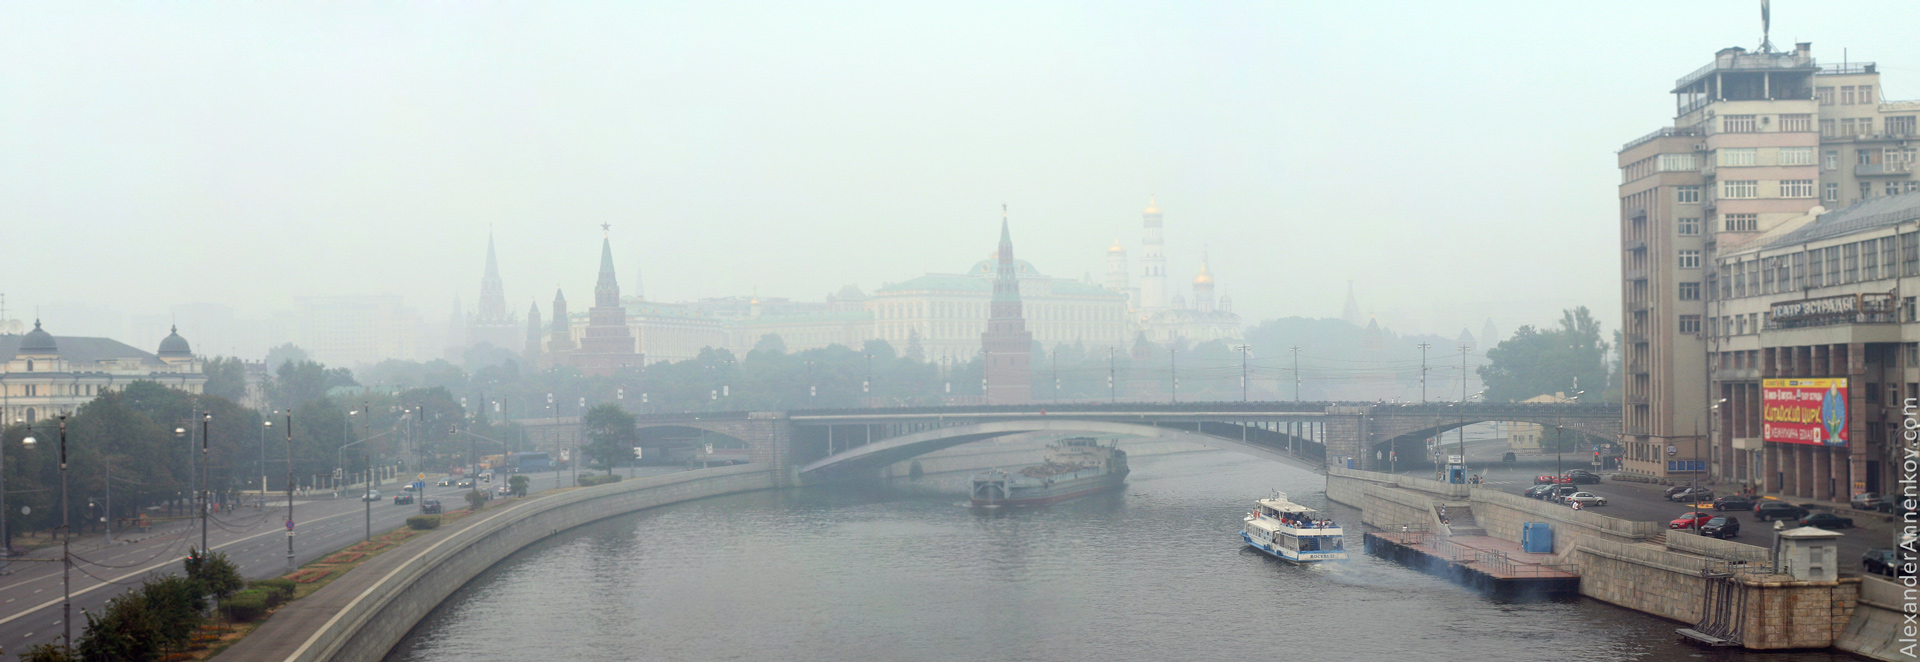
[(909, 573)]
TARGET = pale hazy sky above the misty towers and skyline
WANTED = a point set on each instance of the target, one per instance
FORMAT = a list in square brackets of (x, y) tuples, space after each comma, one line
[(1454, 160)]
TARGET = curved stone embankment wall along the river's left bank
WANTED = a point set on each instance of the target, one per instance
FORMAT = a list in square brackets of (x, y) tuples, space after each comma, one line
[(387, 611)]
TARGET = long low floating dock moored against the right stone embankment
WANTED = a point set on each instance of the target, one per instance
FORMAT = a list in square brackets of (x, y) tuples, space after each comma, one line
[(1487, 565)]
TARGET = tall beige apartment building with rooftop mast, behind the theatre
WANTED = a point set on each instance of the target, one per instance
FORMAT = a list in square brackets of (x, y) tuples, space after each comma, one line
[(1758, 139)]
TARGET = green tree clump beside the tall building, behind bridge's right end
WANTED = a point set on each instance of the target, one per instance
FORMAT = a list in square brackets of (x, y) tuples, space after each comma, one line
[(1545, 362)]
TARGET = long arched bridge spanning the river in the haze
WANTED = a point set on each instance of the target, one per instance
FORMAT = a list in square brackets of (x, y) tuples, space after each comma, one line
[(821, 444)]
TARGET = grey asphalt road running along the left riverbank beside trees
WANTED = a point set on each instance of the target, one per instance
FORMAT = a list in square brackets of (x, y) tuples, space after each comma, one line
[(252, 538)]
